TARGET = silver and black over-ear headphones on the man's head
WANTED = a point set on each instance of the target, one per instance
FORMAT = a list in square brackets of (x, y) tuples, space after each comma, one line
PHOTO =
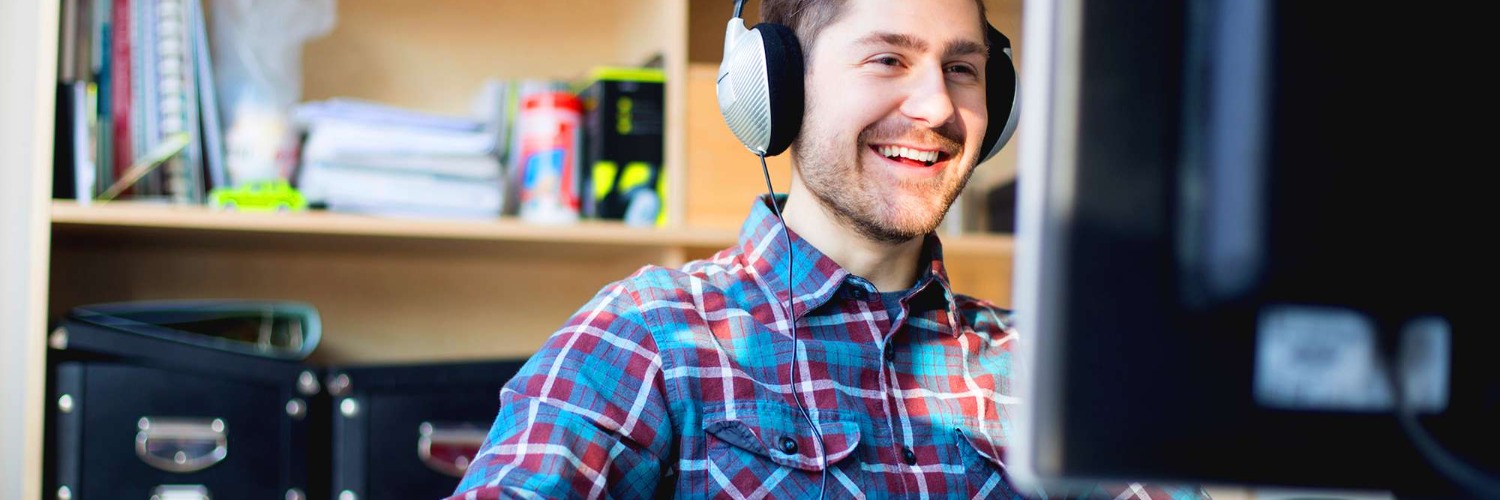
[(760, 86)]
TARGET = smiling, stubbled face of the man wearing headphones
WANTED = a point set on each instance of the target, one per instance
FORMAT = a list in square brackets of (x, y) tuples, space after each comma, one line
[(896, 115)]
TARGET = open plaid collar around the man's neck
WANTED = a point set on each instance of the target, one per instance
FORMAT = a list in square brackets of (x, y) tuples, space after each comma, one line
[(817, 279)]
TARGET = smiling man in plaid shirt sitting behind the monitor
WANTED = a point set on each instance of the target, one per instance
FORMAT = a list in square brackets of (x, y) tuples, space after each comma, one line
[(682, 382)]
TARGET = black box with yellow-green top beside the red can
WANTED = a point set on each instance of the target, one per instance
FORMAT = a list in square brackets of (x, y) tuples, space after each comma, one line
[(625, 122)]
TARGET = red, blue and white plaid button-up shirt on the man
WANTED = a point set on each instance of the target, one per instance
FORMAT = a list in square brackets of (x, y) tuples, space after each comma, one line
[(679, 382)]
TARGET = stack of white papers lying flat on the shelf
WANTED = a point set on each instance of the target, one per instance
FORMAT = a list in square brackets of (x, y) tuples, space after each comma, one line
[(370, 158)]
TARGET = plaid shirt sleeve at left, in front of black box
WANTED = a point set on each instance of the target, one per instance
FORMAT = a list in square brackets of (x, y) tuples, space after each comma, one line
[(586, 418)]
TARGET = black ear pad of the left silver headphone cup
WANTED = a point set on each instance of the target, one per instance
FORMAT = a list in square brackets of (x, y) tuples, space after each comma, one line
[(784, 70)]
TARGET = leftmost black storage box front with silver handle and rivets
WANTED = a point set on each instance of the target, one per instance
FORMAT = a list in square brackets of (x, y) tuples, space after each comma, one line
[(133, 429)]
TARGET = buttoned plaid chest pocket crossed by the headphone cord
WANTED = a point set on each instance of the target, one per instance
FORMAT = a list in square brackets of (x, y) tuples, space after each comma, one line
[(773, 448)]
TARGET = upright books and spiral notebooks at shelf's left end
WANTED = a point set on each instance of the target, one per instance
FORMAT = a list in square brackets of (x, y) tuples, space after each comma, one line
[(136, 76)]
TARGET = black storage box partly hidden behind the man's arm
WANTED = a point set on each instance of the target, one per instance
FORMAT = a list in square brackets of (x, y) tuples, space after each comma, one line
[(409, 432)]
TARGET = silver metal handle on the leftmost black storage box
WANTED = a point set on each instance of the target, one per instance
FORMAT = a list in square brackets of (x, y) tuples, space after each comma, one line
[(181, 445)]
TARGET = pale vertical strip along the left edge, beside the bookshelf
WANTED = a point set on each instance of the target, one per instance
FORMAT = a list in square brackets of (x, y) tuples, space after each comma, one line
[(28, 76)]
